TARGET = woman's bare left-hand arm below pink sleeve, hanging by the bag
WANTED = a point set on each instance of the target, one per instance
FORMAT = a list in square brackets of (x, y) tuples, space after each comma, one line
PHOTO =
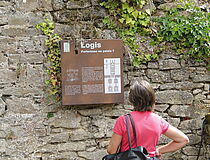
[(114, 143)]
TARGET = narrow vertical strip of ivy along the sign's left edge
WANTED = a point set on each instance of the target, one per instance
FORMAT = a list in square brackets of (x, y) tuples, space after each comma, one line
[(54, 71)]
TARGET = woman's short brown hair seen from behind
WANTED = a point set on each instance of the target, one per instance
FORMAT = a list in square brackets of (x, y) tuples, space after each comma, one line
[(142, 96)]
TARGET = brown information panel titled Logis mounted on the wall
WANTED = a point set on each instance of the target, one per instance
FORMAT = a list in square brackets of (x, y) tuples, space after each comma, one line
[(92, 73)]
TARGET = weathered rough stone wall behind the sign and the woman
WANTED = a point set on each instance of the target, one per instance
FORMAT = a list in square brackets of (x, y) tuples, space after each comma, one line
[(82, 132)]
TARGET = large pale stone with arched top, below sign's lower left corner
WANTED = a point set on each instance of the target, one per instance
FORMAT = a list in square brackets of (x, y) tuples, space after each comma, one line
[(66, 119)]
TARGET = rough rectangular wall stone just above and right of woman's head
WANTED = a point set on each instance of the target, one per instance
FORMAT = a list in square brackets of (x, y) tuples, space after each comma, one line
[(159, 76)]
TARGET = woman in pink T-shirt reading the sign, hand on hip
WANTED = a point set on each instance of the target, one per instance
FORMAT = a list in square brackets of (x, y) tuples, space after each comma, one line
[(149, 126)]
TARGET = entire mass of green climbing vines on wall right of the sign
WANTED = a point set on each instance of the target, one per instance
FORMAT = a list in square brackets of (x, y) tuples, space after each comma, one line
[(186, 26)]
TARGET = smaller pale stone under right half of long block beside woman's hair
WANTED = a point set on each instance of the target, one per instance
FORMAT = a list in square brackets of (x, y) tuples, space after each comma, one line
[(180, 111)]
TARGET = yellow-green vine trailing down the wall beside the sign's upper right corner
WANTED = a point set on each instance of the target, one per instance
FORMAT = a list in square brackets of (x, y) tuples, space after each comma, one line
[(128, 19)]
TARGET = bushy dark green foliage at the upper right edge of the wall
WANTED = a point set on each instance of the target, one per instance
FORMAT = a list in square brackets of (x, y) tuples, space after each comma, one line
[(189, 31)]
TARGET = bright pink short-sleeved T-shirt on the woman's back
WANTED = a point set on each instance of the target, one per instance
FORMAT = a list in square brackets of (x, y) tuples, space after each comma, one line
[(149, 127)]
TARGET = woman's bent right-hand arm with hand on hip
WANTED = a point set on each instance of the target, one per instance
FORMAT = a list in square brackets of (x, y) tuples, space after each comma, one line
[(179, 140)]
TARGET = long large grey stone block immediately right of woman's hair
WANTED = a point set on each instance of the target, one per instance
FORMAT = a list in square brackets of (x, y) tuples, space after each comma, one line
[(174, 97)]
